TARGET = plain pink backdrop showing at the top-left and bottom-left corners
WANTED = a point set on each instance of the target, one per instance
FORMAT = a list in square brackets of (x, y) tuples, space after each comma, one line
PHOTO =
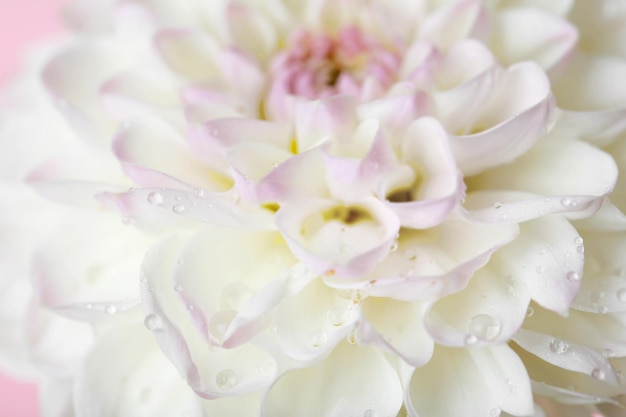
[(22, 23)]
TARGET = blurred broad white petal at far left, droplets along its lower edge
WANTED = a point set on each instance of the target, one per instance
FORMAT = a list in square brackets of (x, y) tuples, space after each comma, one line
[(105, 261)]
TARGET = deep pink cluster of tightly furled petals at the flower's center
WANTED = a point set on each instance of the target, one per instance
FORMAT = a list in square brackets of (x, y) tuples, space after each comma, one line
[(318, 65)]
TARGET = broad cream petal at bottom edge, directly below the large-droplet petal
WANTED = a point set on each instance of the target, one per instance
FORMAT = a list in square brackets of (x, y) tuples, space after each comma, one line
[(471, 383)]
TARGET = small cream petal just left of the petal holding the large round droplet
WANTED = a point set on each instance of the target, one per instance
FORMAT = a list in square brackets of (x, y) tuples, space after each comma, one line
[(397, 327)]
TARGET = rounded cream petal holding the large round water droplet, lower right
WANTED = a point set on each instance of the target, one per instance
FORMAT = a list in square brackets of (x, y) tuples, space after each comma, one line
[(489, 311)]
